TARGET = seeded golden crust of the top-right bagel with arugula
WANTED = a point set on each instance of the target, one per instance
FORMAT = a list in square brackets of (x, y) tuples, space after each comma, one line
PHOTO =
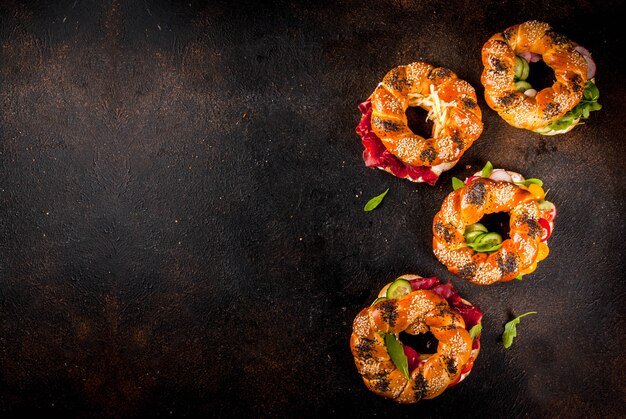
[(551, 103)]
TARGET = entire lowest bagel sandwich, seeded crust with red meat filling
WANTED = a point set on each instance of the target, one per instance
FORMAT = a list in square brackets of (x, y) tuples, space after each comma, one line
[(430, 307)]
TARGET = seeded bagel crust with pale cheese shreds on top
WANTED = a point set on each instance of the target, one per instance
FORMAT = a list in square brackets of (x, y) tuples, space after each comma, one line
[(452, 103)]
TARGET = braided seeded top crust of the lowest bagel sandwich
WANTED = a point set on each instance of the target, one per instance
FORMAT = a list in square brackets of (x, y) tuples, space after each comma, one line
[(421, 311)]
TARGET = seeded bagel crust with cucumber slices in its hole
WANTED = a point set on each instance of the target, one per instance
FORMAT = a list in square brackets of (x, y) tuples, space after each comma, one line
[(467, 206)]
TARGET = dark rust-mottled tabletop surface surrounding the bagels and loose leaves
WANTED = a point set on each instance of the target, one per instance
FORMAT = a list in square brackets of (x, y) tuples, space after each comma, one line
[(181, 224)]
